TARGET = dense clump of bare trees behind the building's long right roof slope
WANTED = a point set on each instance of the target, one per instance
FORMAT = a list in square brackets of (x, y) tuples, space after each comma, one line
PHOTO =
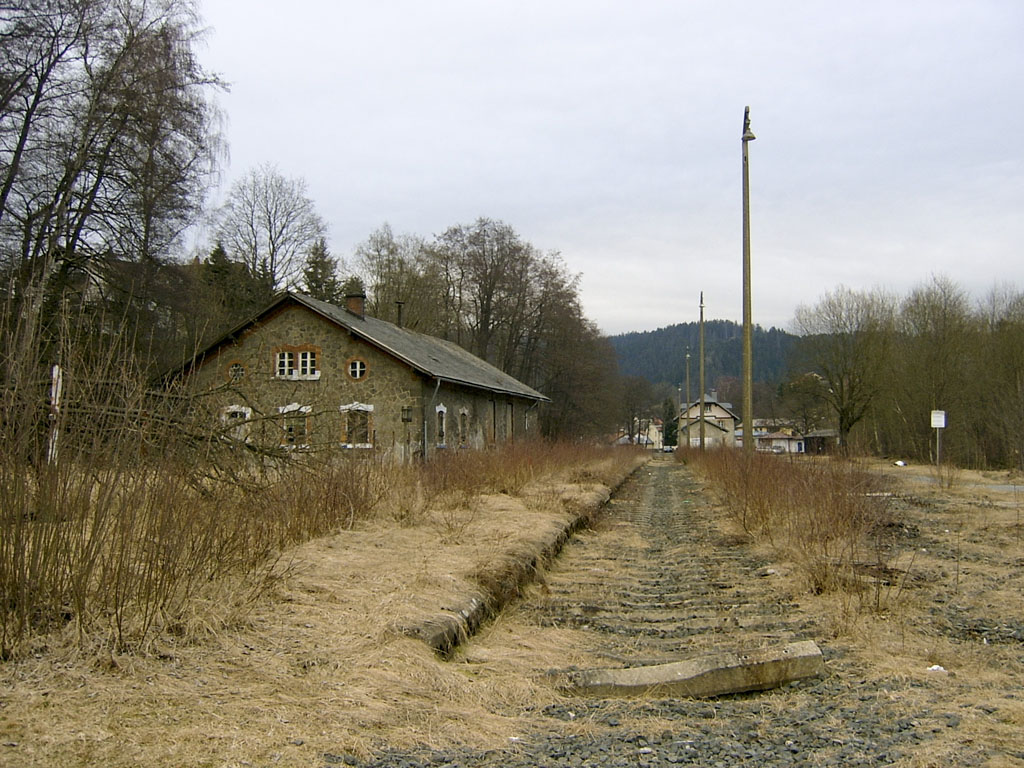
[(488, 290)]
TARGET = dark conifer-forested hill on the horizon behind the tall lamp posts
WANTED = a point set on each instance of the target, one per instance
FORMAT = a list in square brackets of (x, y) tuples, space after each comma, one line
[(661, 356)]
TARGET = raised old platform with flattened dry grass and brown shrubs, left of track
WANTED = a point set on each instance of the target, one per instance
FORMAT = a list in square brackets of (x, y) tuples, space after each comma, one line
[(302, 653)]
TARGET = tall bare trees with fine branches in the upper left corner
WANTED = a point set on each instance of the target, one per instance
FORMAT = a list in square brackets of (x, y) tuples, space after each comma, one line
[(108, 143)]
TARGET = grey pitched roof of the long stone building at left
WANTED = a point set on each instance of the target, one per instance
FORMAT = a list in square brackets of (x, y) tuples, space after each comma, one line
[(436, 358)]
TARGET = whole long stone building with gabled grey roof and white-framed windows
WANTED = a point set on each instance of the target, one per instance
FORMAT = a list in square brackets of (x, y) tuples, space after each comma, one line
[(307, 374)]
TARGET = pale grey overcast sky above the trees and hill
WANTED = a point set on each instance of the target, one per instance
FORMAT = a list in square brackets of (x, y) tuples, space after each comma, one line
[(887, 147)]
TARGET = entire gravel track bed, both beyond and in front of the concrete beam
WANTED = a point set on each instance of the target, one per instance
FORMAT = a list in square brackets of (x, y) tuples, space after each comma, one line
[(657, 581)]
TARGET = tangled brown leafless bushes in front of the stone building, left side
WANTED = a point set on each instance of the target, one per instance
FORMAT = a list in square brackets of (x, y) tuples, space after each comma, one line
[(123, 503)]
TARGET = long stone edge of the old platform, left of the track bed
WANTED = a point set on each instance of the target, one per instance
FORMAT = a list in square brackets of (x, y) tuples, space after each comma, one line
[(444, 632)]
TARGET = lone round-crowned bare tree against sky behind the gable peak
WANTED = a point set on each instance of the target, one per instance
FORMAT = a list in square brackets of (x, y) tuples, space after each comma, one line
[(270, 224)]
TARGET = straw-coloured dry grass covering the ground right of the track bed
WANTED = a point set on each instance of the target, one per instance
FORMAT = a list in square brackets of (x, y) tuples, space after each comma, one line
[(960, 559)]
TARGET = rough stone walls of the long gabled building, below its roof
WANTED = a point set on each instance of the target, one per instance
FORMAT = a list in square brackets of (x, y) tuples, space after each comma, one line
[(359, 398)]
